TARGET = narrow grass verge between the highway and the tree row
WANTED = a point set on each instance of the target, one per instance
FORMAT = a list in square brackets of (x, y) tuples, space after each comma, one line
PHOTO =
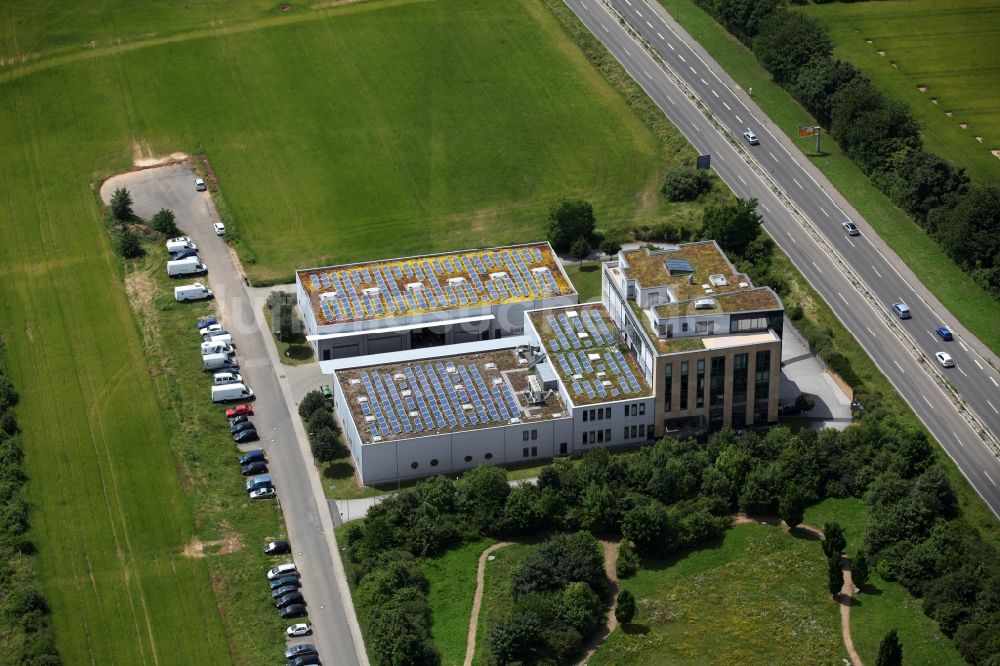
[(975, 308)]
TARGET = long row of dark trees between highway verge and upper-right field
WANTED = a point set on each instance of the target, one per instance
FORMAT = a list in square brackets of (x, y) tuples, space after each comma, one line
[(879, 134)]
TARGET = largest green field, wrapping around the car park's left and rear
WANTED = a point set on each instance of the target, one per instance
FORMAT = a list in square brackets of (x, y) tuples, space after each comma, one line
[(327, 129)]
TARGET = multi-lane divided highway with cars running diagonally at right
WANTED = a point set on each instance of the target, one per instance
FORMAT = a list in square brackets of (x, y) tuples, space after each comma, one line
[(859, 277)]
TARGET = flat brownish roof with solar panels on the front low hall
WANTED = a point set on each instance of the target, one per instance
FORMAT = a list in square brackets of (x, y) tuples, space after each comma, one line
[(434, 396)]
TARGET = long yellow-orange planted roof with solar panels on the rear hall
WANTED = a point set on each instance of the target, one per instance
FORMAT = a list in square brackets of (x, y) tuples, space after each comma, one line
[(433, 283)]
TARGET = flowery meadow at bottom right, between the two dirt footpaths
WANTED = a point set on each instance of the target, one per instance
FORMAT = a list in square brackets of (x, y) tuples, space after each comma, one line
[(757, 596)]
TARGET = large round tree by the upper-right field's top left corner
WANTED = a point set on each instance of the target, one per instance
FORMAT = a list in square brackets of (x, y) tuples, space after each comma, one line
[(787, 41)]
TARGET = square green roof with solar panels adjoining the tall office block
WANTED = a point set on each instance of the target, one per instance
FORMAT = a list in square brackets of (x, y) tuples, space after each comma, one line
[(581, 342)]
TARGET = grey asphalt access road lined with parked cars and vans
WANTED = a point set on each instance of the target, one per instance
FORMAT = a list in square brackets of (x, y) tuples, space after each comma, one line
[(307, 514)]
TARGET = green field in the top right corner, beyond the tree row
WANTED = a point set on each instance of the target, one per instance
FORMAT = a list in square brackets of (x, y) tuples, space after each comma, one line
[(945, 47)]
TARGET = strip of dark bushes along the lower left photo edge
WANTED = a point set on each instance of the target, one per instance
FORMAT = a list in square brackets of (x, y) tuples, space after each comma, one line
[(26, 637)]
